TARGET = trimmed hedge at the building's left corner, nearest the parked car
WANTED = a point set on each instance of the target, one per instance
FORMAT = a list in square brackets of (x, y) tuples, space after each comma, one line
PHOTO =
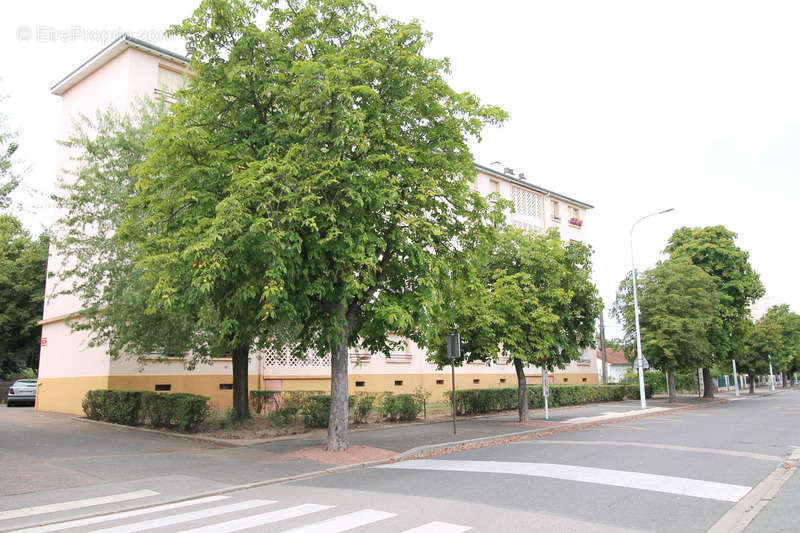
[(131, 408)]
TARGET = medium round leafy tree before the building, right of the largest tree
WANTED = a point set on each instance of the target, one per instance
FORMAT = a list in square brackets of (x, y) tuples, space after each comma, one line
[(520, 297)]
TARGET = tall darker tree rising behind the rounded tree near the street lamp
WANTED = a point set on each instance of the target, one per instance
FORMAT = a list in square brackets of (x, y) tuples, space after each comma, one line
[(714, 250)]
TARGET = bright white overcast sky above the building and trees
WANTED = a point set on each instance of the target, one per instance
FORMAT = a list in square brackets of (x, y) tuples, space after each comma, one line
[(630, 106)]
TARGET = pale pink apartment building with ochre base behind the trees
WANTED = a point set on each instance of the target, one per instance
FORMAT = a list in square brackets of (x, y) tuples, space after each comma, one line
[(128, 69)]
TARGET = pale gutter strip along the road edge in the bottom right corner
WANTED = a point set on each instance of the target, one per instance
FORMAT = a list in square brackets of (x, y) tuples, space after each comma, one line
[(743, 513)]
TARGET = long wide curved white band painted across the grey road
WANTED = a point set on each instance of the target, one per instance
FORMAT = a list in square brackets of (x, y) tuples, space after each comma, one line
[(618, 478)]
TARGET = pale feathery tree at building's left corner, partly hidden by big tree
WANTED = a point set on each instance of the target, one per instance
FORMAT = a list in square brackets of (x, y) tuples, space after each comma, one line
[(95, 263)]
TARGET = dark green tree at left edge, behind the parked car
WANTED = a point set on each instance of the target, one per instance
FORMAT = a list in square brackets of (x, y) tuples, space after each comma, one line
[(23, 268)]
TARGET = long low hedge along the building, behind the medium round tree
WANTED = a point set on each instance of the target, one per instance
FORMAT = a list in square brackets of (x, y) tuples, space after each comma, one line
[(481, 401)]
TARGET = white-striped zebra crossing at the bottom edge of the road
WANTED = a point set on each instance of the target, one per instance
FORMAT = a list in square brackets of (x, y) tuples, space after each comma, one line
[(222, 515)]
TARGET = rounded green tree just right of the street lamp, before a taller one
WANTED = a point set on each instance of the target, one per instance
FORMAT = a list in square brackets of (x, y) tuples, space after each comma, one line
[(677, 314)]
